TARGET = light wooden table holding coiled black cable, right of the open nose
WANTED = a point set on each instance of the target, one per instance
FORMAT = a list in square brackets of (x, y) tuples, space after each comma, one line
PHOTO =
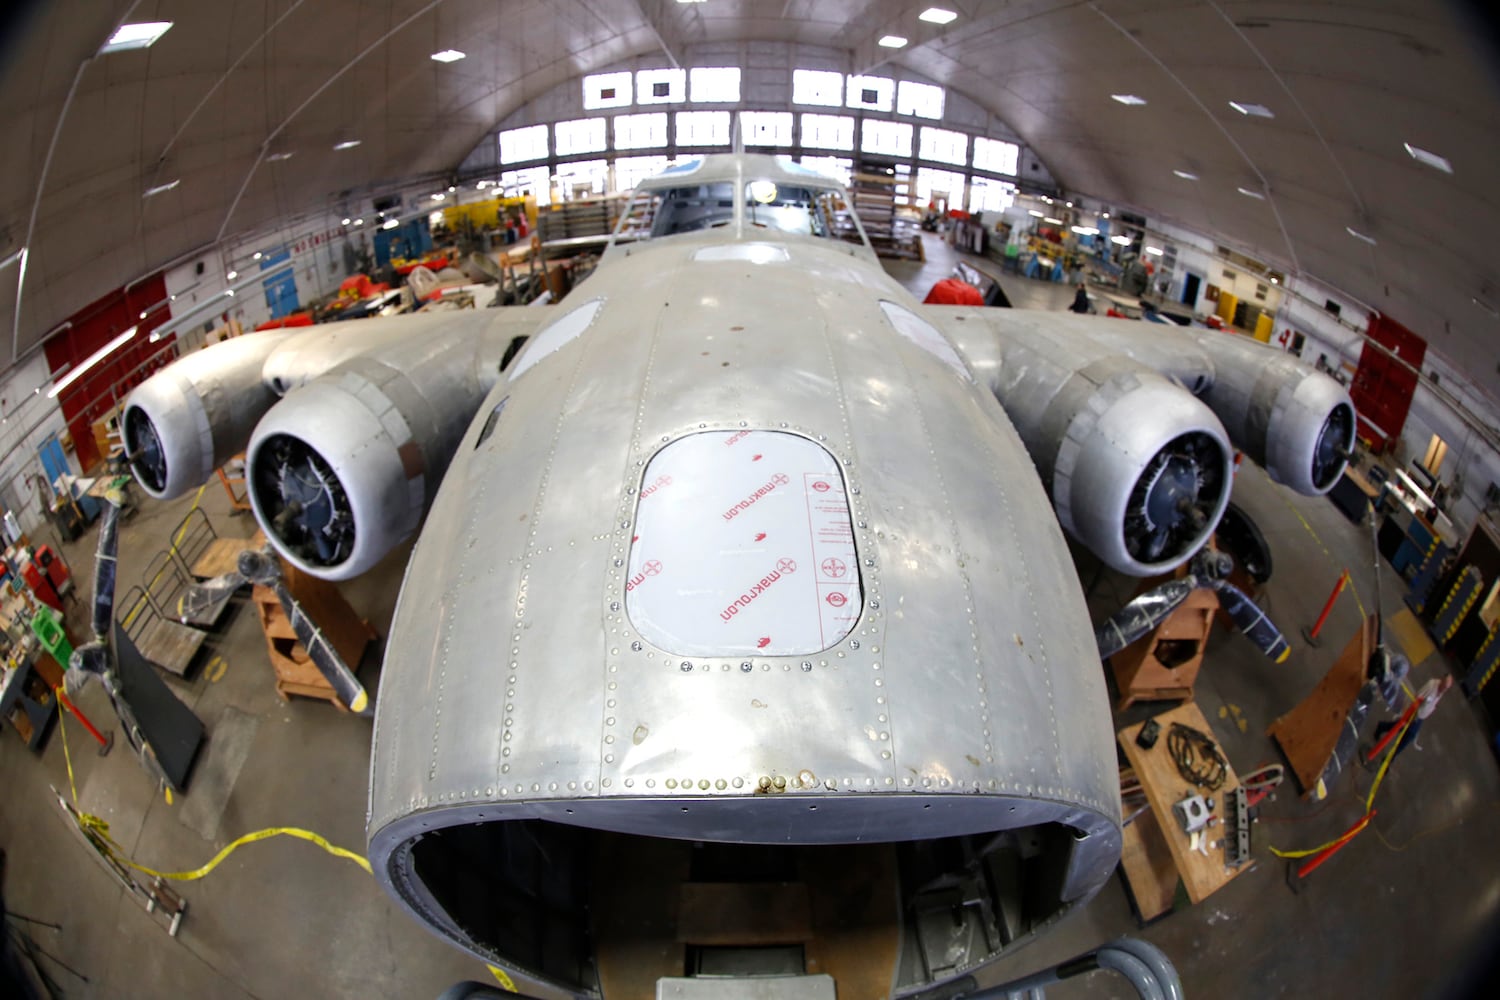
[(1157, 855)]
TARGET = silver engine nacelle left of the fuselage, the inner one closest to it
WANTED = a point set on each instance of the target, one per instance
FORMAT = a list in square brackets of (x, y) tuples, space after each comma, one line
[(346, 467)]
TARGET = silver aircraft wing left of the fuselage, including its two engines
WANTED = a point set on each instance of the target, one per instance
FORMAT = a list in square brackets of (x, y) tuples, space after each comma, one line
[(347, 428)]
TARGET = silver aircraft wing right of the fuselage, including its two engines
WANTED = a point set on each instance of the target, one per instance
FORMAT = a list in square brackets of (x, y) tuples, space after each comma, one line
[(1138, 469)]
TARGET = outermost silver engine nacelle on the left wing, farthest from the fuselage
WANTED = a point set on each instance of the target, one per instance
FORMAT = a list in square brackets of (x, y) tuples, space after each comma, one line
[(187, 421)]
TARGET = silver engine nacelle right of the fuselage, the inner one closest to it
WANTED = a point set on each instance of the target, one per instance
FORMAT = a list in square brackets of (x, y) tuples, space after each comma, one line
[(1138, 469)]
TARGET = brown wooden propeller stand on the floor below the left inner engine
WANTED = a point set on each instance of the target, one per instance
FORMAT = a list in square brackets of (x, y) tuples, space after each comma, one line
[(347, 633)]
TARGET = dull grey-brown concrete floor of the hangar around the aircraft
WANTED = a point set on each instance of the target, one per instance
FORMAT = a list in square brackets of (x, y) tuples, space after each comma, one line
[(1403, 911)]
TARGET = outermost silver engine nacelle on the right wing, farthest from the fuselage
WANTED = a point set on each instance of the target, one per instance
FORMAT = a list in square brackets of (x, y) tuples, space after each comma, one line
[(1291, 419)]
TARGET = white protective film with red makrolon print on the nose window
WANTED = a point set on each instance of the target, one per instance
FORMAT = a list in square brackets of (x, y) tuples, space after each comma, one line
[(743, 546)]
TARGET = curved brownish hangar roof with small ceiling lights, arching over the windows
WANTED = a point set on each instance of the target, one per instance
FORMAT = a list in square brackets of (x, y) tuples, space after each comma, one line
[(244, 101)]
